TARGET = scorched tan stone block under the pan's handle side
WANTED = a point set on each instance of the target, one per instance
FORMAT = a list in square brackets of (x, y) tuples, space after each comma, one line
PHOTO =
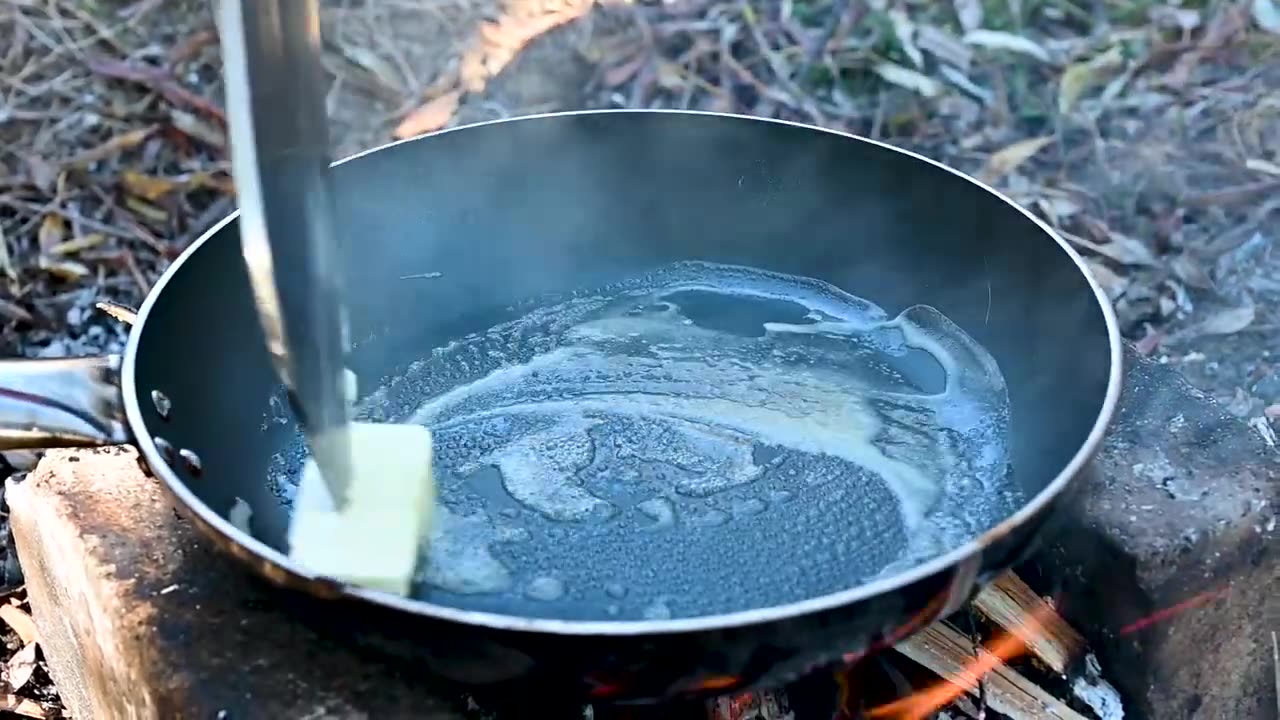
[(143, 619)]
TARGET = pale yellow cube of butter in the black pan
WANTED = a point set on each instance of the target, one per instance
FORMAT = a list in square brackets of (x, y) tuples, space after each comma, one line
[(377, 539)]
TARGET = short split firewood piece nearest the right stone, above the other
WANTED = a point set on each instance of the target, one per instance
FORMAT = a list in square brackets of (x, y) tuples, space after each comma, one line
[(1009, 601)]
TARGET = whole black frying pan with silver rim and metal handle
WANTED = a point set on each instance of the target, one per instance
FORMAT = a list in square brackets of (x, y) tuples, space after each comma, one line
[(662, 540)]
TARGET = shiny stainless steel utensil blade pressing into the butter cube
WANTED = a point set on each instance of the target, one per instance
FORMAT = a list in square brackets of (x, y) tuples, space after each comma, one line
[(280, 142)]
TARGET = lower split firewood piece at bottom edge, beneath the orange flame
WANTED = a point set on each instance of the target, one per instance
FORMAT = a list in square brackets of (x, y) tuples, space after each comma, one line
[(950, 655)]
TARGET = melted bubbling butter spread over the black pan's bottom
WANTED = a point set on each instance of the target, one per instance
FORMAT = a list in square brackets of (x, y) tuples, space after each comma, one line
[(697, 440)]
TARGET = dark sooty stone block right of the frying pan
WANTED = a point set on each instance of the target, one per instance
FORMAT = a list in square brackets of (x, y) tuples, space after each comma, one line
[(1169, 563)]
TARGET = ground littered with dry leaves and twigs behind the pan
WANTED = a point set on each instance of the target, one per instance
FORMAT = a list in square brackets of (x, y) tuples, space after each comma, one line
[(1148, 133)]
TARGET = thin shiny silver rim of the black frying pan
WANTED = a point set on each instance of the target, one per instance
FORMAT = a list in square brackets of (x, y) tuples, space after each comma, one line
[(630, 628)]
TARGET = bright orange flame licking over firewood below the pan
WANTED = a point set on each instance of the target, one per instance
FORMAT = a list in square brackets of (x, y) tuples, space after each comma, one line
[(1002, 649)]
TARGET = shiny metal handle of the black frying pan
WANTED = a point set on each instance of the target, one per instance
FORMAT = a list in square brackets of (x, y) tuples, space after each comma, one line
[(62, 403)]
